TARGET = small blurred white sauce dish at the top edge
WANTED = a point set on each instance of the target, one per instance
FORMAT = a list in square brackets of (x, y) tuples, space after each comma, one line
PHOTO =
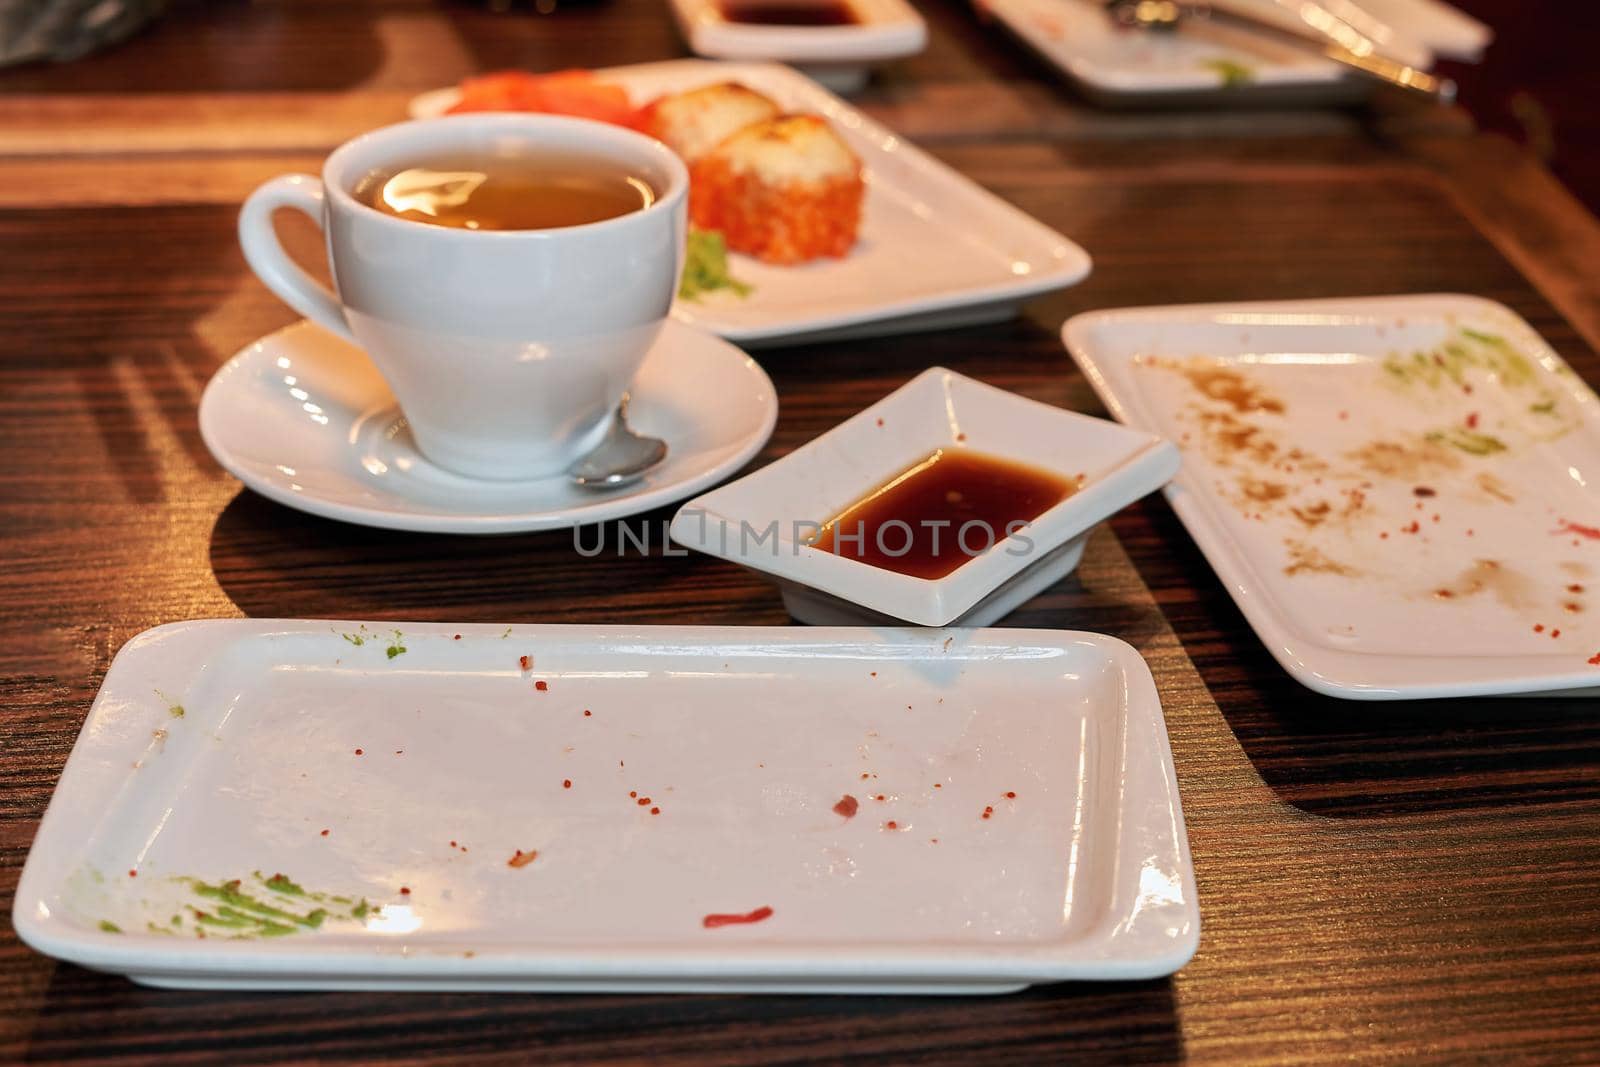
[(839, 57)]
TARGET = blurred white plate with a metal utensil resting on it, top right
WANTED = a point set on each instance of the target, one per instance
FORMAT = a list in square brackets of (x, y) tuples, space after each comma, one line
[(1215, 62)]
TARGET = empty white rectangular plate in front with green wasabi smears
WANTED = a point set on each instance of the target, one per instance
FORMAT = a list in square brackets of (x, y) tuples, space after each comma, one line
[(334, 805)]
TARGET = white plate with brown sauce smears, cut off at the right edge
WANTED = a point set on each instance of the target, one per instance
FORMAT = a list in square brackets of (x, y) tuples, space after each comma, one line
[(1398, 492)]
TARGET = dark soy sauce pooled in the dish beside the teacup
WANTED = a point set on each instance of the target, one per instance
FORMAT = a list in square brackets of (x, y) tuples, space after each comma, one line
[(913, 524)]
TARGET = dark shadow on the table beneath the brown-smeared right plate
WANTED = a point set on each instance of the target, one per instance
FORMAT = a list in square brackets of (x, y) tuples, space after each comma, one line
[(1361, 759)]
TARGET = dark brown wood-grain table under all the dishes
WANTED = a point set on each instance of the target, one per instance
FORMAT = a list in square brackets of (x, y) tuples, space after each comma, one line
[(1377, 882)]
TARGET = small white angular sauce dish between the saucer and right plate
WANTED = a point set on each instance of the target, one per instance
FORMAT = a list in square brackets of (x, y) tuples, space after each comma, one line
[(783, 519)]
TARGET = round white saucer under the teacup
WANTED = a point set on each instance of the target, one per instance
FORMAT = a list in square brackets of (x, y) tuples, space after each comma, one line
[(308, 422)]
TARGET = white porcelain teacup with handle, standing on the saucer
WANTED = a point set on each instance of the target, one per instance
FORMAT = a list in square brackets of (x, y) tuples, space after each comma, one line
[(506, 350)]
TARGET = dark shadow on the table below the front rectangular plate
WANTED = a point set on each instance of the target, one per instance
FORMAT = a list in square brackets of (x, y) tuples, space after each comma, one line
[(1082, 1023)]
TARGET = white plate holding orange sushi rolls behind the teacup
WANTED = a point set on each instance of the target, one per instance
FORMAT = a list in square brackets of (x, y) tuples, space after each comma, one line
[(937, 250)]
